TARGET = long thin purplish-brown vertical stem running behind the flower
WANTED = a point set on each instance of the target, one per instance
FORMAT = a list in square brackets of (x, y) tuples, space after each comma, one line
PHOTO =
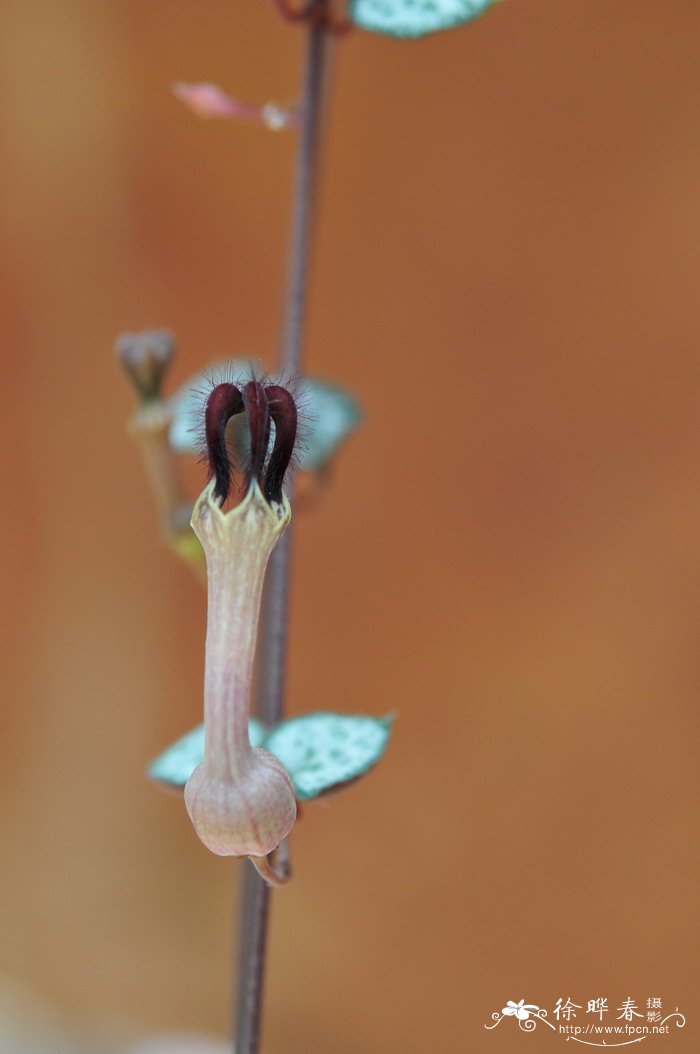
[(274, 628)]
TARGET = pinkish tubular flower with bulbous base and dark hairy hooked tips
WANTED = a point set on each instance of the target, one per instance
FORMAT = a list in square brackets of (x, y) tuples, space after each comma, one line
[(241, 798)]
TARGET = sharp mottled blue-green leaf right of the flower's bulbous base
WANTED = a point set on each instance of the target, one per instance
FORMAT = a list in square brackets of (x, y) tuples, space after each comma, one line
[(325, 751)]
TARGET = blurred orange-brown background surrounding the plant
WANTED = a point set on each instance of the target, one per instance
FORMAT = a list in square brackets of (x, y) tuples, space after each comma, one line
[(507, 274)]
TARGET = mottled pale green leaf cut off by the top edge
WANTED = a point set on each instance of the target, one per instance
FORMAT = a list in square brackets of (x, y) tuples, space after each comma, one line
[(415, 18)]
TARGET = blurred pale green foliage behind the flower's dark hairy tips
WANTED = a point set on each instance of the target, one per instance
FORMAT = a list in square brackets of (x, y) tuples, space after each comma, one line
[(329, 414)]
